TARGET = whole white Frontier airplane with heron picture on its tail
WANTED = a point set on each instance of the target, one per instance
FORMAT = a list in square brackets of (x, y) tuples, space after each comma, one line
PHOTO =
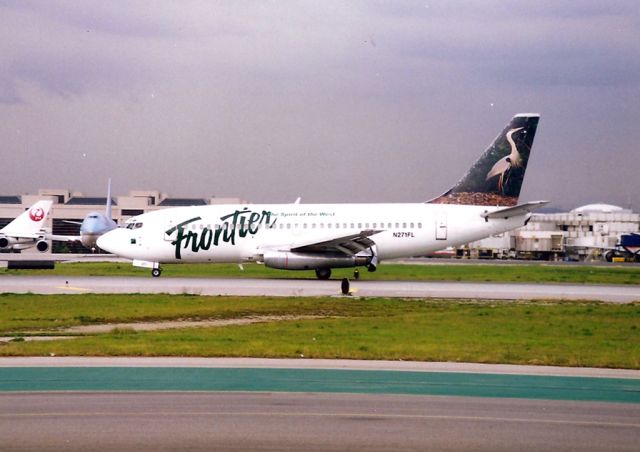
[(321, 237)]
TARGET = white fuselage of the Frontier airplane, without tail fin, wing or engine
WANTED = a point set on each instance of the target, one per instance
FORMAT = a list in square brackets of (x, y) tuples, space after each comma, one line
[(243, 233)]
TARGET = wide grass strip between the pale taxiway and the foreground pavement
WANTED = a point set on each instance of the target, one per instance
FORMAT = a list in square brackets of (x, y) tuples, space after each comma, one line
[(544, 333)]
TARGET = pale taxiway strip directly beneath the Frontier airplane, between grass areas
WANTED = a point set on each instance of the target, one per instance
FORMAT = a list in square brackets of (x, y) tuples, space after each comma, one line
[(309, 287)]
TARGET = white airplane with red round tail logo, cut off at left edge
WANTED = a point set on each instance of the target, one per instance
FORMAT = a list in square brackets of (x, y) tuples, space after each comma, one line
[(25, 231)]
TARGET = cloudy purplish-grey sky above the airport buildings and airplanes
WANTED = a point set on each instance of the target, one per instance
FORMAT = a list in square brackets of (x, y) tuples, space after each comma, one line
[(358, 101)]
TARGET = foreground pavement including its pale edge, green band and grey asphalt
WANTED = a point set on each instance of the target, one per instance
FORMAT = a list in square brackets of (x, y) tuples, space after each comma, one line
[(312, 405)]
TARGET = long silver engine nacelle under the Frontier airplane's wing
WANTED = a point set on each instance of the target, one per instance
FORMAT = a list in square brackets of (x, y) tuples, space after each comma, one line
[(285, 260)]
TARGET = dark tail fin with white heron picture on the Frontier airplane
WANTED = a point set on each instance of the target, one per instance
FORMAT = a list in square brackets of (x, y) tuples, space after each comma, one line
[(495, 179)]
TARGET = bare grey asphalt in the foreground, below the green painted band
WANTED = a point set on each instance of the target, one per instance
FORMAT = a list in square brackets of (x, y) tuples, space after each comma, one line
[(273, 421)]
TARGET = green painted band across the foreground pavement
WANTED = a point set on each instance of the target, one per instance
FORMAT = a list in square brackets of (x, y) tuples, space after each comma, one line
[(318, 380)]
